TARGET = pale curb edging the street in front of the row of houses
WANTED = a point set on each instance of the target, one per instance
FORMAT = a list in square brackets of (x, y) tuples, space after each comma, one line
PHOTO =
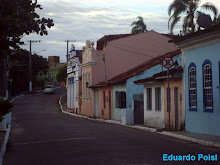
[(154, 130)]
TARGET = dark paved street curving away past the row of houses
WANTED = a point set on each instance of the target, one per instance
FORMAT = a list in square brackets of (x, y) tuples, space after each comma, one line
[(42, 135)]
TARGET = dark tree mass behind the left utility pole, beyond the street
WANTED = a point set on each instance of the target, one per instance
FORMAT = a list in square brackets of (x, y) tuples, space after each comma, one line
[(19, 67)]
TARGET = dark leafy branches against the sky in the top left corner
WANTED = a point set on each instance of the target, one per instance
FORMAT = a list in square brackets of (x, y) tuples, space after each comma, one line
[(18, 18)]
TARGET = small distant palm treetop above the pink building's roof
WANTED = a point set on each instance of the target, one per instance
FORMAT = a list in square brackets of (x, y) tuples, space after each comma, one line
[(138, 26)]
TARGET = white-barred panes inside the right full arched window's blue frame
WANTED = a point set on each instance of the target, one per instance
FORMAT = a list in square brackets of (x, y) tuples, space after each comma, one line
[(207, 78)]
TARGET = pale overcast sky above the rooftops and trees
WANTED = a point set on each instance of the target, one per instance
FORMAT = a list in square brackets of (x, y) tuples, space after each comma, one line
[(82, 20)]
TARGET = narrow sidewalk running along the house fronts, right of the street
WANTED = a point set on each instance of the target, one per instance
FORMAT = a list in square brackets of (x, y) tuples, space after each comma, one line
[(208, 140)]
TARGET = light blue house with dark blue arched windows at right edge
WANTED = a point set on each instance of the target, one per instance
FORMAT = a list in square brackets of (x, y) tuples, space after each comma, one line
[(201, 57)]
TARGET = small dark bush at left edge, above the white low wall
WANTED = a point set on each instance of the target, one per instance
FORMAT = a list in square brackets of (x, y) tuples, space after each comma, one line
[(5, 107)]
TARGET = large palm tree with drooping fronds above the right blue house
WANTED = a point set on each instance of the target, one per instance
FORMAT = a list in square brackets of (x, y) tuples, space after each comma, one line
[(189, 8)]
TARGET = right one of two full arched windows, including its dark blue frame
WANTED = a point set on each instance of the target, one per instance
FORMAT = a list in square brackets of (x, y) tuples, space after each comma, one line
[(207, 86)]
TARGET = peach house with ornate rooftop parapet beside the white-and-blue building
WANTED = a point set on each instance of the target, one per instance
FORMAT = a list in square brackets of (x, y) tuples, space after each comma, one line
[(92, 72)]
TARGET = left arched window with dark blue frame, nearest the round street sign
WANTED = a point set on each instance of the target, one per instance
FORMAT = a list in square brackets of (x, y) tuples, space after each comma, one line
[(192, 87)]
